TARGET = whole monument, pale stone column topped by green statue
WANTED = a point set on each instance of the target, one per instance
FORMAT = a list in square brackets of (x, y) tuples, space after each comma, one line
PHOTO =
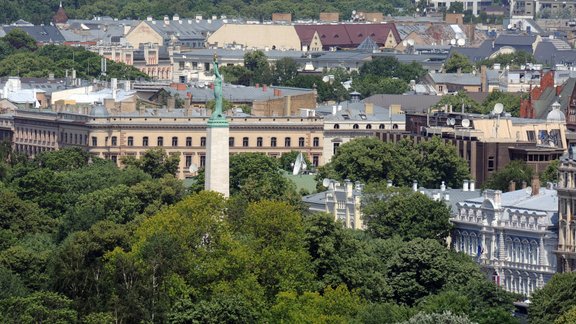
[(217, 175)]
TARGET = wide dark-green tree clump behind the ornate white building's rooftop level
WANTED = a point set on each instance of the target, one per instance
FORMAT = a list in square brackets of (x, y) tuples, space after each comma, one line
[(370, 160)]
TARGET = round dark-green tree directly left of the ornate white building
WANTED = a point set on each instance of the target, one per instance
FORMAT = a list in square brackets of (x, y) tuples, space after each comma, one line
[(408, 214)]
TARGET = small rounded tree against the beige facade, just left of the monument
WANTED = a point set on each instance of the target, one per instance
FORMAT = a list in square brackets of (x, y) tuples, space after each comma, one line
[(156, 162)]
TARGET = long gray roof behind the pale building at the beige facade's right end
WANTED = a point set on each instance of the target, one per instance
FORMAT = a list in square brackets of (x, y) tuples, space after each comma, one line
[(409, 103)]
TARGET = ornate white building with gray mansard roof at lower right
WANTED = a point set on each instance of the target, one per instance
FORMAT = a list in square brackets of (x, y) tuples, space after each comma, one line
[(512, 235)]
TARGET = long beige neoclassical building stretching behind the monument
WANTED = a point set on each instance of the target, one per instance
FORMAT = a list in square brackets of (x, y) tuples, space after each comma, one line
[(178, 131)]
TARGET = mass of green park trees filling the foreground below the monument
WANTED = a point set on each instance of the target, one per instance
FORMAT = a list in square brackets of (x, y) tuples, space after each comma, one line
[(85, 241)]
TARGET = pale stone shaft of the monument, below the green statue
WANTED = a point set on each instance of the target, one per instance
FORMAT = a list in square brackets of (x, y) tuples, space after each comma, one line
[(217, 175)]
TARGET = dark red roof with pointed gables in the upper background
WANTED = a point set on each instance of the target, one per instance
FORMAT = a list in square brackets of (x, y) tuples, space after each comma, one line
[(346, 35)]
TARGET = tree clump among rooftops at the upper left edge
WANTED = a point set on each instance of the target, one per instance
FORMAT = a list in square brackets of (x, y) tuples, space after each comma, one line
[(19, 56)]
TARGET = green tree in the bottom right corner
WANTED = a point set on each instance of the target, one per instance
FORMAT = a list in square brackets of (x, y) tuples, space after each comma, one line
[(556, 298)]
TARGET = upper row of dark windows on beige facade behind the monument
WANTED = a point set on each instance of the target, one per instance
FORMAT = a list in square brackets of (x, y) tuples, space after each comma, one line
[(231, 141)]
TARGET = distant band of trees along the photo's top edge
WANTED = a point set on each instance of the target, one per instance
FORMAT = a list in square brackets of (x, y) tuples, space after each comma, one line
[(37, 11)]
